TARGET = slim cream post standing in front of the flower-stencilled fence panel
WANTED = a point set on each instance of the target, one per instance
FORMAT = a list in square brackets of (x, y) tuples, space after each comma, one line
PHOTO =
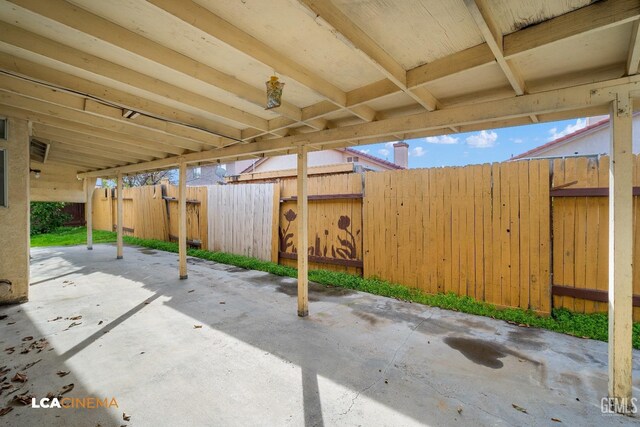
[(303, 237)]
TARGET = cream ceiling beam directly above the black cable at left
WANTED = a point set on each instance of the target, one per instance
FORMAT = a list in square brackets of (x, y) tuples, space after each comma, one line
[(32, 70)]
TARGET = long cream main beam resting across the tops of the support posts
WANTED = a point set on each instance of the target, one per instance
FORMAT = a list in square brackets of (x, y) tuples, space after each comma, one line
[(572, 100)]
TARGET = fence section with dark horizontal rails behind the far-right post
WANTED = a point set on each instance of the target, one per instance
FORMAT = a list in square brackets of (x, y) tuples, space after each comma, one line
[(581, 234)]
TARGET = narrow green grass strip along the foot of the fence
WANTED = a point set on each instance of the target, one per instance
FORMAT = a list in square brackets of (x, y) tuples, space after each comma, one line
[(593, 326)]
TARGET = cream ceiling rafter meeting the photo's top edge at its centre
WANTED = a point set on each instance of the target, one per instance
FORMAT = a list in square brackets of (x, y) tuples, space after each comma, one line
[(370, 50)]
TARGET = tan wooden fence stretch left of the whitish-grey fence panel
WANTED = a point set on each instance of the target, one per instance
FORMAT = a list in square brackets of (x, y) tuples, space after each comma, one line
[(151, 212)]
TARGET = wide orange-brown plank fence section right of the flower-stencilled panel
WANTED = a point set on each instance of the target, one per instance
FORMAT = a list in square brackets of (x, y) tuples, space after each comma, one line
[(479, 230)]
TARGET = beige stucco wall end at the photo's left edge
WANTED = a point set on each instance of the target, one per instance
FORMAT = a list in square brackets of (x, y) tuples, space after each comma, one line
[(14, 219)]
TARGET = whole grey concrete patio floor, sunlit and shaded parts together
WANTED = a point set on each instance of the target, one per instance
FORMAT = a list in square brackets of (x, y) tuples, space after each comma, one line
[(359, 359)]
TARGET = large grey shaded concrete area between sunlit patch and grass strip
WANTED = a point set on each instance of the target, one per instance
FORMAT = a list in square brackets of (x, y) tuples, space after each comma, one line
[(358, 341)]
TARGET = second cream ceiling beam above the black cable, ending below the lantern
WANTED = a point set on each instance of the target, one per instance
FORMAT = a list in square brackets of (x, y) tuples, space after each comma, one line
[(59, 52)]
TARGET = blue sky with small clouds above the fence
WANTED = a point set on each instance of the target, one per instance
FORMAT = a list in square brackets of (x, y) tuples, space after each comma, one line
[(494, 145)]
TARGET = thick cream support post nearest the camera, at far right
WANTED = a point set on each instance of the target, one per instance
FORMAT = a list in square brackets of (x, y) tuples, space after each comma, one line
[(620, 252)]
